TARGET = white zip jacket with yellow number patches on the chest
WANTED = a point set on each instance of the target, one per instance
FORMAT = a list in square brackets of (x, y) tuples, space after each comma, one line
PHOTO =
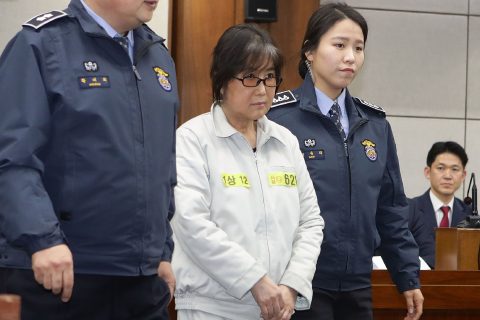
[(241, 215)]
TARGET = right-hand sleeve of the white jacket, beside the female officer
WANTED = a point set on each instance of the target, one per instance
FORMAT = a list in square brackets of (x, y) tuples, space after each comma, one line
[(307, 242)]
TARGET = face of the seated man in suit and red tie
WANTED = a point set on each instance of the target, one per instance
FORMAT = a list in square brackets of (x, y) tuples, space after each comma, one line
[(446, 174)]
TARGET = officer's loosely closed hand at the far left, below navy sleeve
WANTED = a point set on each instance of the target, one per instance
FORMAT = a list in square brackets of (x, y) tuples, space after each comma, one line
[(53, 268)]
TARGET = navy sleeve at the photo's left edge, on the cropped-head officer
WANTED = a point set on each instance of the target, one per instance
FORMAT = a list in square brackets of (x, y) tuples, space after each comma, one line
[(27, 218)]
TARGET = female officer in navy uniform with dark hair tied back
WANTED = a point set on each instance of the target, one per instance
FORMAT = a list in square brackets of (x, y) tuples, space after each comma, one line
[(350, 153)]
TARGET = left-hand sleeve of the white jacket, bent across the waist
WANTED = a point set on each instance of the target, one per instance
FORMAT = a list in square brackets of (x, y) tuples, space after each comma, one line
[(207, 245)]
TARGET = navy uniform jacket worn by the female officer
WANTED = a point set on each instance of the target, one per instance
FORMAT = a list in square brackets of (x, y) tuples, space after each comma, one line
[(359, 190)]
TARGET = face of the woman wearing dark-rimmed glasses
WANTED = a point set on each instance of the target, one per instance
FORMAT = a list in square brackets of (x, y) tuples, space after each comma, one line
[(246, 104)]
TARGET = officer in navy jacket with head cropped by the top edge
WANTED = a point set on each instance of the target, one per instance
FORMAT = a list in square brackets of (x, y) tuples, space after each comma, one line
[(87, 163)]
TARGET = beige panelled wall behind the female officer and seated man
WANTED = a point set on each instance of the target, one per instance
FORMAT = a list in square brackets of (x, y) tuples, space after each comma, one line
[(422, 67)]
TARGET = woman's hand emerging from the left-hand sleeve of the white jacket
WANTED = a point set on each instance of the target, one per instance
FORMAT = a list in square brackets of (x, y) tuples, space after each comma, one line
[(268, 297)]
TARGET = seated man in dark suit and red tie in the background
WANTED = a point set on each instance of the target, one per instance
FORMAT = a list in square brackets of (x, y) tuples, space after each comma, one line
[(438, 207)]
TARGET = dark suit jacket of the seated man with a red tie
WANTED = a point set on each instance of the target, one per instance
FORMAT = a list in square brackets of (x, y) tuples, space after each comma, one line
[(423, 222)]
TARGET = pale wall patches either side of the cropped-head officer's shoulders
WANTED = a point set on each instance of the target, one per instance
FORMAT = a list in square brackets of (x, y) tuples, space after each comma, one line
[(14, 12)]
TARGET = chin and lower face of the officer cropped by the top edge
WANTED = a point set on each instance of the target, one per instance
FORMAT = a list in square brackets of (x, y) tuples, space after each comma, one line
[(124, 15)]
